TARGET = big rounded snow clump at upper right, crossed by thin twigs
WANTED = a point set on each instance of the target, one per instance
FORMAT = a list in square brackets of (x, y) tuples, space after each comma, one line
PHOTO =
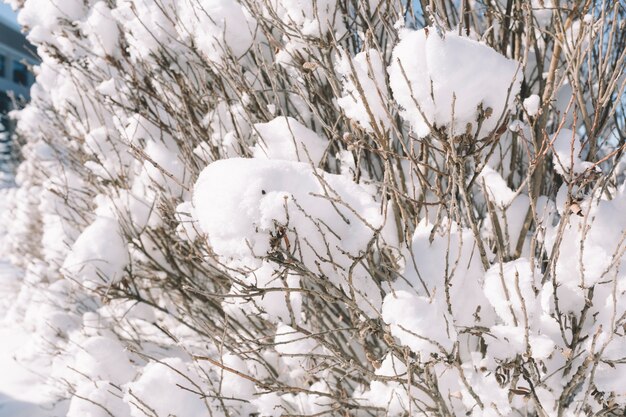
[(442, 81)]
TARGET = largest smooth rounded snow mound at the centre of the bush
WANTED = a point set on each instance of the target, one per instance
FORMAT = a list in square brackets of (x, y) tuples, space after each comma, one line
[(239, 202)]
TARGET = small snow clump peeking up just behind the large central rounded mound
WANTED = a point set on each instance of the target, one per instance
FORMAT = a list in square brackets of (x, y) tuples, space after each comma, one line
[(286, 138)]
